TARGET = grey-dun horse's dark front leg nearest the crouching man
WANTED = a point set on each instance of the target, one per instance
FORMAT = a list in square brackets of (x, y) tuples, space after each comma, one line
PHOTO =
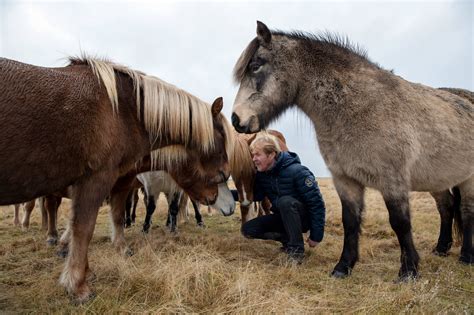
[(351, 194)]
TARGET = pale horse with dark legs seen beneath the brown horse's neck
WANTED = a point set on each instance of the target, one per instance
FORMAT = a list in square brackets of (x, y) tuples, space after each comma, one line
[(156, 182)]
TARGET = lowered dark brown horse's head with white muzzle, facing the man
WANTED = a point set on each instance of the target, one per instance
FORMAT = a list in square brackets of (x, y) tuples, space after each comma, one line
[(203, 173)]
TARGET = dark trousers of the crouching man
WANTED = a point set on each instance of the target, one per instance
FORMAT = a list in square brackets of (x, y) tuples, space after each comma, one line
[(286, 226)]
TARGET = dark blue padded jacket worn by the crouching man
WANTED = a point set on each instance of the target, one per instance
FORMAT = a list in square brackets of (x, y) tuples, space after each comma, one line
[(289, 178)]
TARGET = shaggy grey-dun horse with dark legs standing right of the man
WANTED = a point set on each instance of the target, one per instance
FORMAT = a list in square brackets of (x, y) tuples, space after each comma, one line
[(374, 129)]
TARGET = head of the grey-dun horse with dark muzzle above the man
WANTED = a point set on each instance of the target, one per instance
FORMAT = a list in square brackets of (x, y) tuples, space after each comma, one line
[(264, 72)]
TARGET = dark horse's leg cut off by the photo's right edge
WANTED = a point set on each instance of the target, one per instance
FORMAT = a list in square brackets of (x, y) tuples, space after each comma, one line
[(467, 215)]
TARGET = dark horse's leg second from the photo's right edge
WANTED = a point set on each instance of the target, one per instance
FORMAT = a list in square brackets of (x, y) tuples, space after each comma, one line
[(445, 203)]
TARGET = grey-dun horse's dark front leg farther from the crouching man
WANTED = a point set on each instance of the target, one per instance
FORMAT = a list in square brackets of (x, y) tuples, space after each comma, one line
[(397, 203)]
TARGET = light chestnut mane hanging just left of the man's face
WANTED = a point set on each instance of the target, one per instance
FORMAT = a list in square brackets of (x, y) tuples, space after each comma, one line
[(241, 163)]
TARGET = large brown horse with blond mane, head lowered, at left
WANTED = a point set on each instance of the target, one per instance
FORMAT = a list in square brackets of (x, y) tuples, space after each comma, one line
[(85, 125)]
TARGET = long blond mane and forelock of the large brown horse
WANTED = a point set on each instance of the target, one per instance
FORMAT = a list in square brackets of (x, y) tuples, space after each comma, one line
[(166, 108)]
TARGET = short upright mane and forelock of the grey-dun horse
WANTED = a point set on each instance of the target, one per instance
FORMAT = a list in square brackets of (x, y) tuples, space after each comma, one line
[(326, 39)]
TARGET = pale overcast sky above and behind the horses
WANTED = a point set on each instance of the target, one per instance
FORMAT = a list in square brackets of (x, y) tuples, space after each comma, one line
[(195, 44)]
